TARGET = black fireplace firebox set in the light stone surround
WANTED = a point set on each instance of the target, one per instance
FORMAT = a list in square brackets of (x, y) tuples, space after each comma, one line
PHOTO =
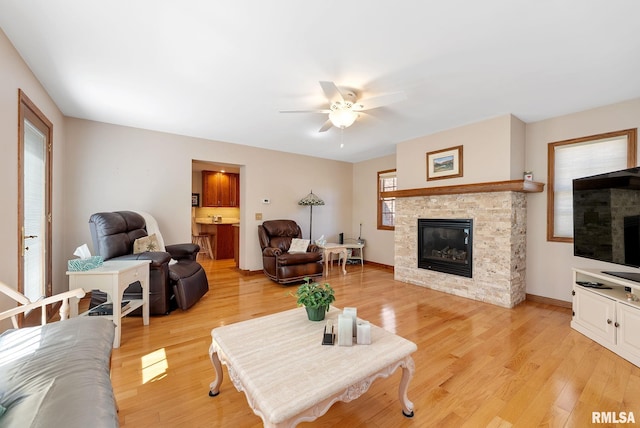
[(445, 245)]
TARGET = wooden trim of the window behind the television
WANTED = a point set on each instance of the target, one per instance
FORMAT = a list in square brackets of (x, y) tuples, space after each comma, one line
[(631, 135)]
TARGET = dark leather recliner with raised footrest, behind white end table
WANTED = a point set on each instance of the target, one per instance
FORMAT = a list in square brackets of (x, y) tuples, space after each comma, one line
[(113, 235)]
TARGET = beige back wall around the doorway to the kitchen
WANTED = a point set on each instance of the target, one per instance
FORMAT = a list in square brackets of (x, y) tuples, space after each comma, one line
[(120, 168)]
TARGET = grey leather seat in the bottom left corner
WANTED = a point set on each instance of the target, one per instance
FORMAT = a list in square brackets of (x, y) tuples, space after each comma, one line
[(57, 375)]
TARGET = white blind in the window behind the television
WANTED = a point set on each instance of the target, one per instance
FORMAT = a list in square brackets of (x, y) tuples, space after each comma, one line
[(581, 160)]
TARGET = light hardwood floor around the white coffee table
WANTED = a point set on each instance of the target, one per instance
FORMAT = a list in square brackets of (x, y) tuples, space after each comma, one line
[(477, 364)]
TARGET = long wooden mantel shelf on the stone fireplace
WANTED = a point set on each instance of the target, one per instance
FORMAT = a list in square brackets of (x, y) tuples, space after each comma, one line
[(524, 186)]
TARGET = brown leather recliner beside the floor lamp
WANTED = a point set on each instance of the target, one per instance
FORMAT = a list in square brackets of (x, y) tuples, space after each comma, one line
[(278, 264)]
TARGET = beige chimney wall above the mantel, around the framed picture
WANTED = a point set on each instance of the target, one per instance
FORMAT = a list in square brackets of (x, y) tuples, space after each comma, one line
[(490, 149)]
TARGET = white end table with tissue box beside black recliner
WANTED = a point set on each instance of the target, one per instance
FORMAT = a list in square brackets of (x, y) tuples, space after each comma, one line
[(113, 277)]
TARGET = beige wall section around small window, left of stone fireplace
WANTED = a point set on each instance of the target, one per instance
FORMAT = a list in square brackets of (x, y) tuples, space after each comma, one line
[(379, 243)]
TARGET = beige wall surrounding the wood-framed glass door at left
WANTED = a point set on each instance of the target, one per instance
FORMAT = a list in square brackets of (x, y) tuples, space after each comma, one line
[(15, 74)]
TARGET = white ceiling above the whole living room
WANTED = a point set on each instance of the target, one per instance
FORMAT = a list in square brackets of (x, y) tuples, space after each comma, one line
[(222, 70)]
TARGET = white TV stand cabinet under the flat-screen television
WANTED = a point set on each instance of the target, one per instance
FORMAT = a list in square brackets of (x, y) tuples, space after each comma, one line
[(607, 316)]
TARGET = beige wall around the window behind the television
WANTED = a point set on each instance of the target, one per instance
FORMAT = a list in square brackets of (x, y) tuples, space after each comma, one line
[(549, 263)]
